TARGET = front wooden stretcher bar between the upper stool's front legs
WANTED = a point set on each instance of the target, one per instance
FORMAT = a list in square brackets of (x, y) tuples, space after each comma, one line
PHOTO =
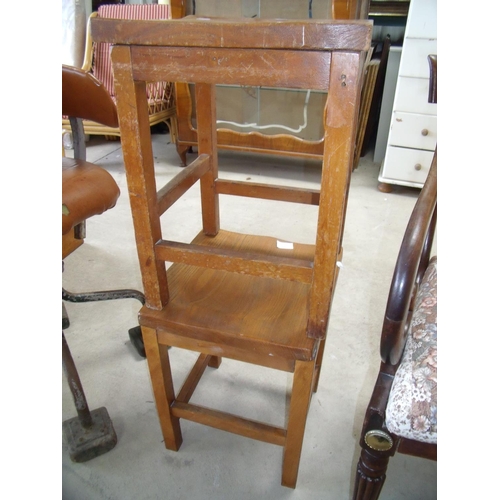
[(231, 260)]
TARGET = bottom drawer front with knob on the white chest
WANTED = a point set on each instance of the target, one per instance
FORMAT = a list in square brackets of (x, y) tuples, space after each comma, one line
[(407, 165)]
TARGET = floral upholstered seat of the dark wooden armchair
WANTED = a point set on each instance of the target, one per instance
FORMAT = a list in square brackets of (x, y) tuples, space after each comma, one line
[(412, 406)]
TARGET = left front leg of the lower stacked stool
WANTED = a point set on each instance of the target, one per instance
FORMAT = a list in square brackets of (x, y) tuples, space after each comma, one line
[(163, 388)]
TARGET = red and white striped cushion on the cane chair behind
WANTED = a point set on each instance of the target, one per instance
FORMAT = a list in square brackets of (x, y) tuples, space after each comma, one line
[(102, 58)]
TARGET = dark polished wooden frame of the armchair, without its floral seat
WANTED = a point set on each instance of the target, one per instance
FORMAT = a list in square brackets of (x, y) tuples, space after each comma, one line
[(412, 262)]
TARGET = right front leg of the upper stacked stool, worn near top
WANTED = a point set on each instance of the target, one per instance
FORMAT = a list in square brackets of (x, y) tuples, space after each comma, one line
[(340, 129)]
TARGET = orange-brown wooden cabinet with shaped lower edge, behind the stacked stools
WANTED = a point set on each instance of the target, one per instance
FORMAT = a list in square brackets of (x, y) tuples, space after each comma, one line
[(284, 122)]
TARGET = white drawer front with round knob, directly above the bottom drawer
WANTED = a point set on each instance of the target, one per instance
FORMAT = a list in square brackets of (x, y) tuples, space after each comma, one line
[(416, 131)]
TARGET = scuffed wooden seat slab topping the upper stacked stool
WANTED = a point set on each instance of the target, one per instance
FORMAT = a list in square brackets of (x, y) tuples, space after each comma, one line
[(237, 33)]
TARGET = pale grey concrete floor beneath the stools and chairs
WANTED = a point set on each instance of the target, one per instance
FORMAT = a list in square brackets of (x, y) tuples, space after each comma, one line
[(212, 464)]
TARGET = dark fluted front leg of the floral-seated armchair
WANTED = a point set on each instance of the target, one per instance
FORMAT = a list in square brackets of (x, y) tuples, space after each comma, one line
[(370, 475)]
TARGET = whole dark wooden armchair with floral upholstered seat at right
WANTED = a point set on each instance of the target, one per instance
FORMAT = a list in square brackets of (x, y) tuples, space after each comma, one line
[(402, 413)]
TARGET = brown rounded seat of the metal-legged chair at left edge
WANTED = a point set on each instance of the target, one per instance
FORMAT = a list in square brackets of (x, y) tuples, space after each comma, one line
[(87, 190)]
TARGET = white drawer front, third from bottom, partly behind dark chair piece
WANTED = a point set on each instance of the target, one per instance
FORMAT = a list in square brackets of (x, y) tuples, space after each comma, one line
[(412, 96)]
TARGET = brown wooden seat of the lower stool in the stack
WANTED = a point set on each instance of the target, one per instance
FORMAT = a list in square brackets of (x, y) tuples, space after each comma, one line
[(266, 315)]
